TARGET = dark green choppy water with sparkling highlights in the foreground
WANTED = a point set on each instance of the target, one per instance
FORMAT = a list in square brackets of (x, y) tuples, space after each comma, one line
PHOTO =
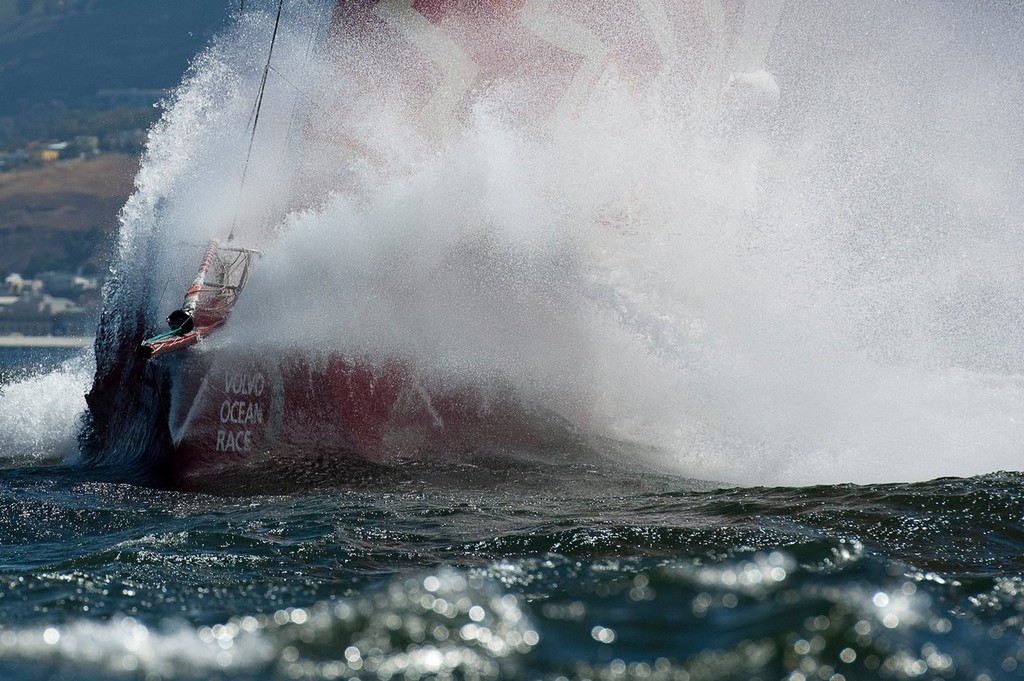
[(518, 566)]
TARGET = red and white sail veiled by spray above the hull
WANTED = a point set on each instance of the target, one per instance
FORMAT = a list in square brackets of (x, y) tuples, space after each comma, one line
[(549, 57)]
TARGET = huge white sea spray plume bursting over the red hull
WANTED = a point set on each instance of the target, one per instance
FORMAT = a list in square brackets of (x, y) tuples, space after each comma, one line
[(750, 253)]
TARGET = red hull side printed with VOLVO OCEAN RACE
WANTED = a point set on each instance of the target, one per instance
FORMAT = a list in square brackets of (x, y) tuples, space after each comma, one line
[(235, 411)]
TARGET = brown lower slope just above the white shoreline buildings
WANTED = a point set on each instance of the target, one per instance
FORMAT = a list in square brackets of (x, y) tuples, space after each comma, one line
[(63, 216)]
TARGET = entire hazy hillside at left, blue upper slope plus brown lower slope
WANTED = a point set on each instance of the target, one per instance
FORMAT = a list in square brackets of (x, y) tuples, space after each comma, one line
[(84, 68)]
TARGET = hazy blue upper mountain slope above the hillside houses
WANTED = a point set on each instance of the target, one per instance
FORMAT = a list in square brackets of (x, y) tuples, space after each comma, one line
[(65, 59)]
